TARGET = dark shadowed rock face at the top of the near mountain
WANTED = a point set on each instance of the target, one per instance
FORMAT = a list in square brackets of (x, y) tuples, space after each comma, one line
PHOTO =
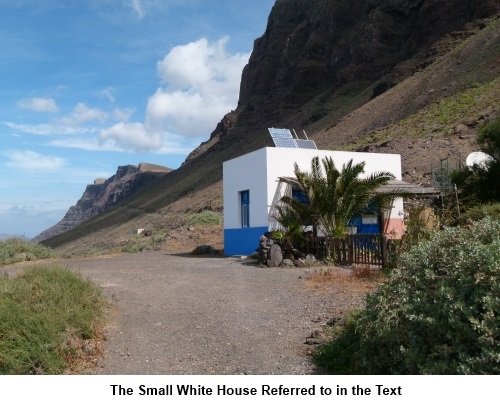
[(309, 50)]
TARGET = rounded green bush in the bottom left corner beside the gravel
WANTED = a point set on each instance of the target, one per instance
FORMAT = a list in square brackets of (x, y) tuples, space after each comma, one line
[(44, 313)]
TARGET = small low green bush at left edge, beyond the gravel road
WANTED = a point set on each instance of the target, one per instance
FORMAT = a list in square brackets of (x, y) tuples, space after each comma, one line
[(19, 250)]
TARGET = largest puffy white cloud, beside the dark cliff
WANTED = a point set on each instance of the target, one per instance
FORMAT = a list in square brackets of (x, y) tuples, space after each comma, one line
[(202, 84)]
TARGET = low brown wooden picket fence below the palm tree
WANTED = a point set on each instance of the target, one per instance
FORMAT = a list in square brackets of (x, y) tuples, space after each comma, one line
[(372, 249)]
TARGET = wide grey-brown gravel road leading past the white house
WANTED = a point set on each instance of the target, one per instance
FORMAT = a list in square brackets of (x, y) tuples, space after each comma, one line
[(180, 314)]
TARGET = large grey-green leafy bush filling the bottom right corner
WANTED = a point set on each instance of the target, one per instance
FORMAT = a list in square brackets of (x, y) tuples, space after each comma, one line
[(439, 312)]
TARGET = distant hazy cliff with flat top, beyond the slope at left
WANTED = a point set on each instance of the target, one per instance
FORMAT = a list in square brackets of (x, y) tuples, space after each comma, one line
[(104, 194)]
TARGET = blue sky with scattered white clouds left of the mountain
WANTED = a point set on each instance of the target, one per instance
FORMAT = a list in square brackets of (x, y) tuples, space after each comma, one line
[(87, 86)]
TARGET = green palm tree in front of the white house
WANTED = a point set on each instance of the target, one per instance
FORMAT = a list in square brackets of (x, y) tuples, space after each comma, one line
[(337, 196)]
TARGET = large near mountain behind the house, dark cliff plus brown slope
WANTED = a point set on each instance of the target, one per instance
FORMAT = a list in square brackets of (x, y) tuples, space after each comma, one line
[(415, 77)]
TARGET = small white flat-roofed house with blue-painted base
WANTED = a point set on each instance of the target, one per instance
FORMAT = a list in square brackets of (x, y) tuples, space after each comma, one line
[(251, 188)]
